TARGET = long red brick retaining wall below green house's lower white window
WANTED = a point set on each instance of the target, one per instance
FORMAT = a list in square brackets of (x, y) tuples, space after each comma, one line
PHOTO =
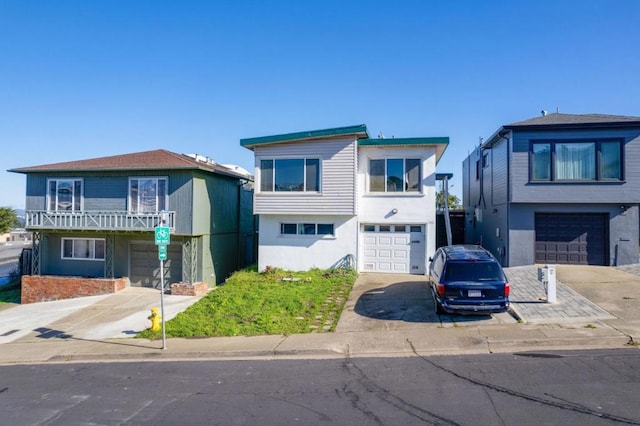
[(43, 288)]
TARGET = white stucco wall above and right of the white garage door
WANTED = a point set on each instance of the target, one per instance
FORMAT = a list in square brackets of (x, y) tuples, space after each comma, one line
[(412, 208)]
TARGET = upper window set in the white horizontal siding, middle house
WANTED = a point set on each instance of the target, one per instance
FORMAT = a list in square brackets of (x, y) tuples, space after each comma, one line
[(290, 175)]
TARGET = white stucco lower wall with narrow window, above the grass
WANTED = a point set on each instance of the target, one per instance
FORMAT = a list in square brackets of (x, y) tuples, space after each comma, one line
[(303, 252)]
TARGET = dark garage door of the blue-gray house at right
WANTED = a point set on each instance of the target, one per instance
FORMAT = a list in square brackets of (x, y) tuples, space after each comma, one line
[(568, 238)]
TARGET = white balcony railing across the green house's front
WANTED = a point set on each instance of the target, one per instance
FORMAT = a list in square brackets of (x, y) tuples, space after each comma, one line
[(97, 220)]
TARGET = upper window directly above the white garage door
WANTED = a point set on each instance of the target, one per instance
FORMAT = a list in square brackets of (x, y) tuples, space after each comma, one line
[(395, 175)]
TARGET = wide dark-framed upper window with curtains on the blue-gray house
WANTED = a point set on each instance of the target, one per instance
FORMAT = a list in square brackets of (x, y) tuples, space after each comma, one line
[(576, 161)]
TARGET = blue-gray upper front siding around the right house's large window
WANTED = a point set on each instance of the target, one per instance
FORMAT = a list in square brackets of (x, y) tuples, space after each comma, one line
[(627, 191)]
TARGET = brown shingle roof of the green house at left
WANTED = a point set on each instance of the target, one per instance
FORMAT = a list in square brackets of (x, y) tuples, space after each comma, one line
[(148, 160)]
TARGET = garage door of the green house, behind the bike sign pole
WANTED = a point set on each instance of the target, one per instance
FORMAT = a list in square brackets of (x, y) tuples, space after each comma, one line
[(144, 266)]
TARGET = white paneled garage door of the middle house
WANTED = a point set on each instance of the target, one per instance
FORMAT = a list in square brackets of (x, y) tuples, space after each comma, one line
[(393, 248)]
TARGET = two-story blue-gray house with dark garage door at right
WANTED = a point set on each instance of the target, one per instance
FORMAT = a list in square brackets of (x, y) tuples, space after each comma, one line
[(558, 189)]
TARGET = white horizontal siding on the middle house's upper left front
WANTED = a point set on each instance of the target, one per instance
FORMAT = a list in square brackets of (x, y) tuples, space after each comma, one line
[(338, 175)]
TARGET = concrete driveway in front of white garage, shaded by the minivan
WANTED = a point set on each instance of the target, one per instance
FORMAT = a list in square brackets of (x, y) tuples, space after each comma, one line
[(399, 301)]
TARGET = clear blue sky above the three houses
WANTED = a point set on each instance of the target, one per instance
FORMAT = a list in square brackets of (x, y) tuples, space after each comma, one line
[(84, 79)]
